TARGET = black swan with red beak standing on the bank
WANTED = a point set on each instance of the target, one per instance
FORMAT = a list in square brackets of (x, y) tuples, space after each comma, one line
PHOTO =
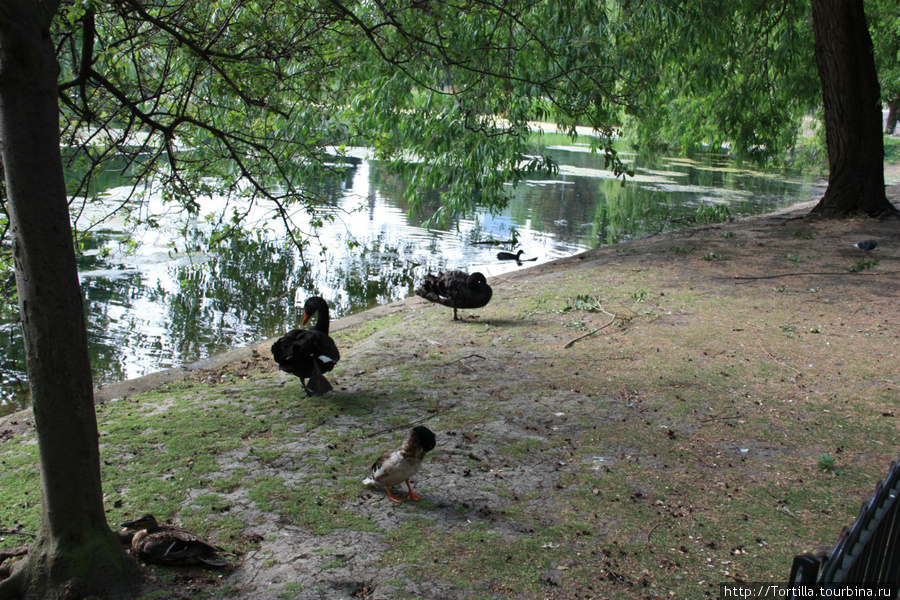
[(308, 353)]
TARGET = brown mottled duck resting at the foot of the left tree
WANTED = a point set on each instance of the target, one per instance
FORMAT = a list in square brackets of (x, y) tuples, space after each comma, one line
[(170, 545)]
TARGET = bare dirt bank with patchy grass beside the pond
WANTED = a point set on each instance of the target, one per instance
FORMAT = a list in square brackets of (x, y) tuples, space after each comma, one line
[(640, 421)]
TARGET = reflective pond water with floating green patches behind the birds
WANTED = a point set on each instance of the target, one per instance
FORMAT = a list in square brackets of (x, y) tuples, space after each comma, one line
[(162, 304)]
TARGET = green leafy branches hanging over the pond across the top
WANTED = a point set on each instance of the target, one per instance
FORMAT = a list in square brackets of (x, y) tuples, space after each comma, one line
[(266, 94)]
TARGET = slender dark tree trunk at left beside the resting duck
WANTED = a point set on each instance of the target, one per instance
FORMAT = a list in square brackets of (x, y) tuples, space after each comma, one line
[(76, 554)]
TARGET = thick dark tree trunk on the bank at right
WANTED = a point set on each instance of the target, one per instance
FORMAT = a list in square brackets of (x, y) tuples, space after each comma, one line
[(850, 90)]
